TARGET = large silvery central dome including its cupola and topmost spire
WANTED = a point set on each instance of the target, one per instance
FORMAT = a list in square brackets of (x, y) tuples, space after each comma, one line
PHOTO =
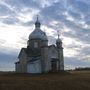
[(38, 33)]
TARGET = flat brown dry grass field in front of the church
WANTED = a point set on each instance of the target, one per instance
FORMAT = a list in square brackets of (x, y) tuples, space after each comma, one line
[(76, 80)]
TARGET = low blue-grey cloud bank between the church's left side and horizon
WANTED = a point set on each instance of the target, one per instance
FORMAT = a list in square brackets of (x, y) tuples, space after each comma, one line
[(7, 61)]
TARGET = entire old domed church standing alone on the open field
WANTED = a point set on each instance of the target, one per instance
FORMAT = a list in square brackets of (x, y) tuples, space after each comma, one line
[(38, 56)]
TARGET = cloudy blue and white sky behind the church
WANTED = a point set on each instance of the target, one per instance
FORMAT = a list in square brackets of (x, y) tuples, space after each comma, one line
[(70, 17)]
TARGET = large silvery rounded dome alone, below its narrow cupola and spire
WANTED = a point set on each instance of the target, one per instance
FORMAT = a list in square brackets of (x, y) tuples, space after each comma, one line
[(38, 34)]
